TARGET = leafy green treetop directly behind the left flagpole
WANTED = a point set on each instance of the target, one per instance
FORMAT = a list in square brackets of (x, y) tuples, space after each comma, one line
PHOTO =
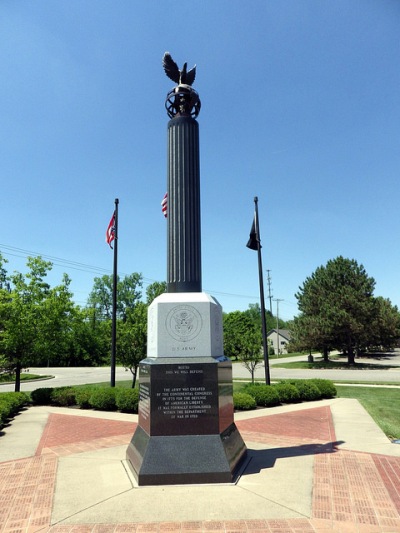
[(128, 294)]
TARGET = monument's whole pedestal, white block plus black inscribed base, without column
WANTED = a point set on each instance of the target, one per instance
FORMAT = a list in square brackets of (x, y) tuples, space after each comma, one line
[(186, 431)]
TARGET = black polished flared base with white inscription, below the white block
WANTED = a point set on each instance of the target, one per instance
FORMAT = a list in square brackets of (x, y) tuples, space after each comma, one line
[(186, 433)]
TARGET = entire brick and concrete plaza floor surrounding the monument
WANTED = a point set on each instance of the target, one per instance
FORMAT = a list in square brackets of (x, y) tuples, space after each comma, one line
[(314, 467)]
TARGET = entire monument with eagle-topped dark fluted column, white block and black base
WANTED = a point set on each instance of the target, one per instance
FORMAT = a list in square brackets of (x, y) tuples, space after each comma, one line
[(186, 431)]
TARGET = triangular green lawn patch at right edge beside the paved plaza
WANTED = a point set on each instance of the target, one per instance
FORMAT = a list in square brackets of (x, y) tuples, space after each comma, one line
[(381, 403)]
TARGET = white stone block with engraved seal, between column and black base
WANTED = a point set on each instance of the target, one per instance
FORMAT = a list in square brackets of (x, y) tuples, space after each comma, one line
[(183, 325)]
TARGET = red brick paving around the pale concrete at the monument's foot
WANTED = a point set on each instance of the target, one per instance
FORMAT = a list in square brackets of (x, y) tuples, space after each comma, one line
[(353, 492)]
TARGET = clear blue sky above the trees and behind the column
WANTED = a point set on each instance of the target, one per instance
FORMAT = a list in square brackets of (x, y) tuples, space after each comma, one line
[(300, 107)]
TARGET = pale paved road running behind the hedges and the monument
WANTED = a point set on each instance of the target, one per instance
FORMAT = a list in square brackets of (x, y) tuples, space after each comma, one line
[(82, 375)]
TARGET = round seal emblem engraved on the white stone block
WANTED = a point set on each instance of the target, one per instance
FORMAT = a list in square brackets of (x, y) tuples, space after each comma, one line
[(183, 323)]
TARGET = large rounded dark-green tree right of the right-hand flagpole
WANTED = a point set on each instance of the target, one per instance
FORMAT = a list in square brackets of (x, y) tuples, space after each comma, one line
[(336, 305)]
